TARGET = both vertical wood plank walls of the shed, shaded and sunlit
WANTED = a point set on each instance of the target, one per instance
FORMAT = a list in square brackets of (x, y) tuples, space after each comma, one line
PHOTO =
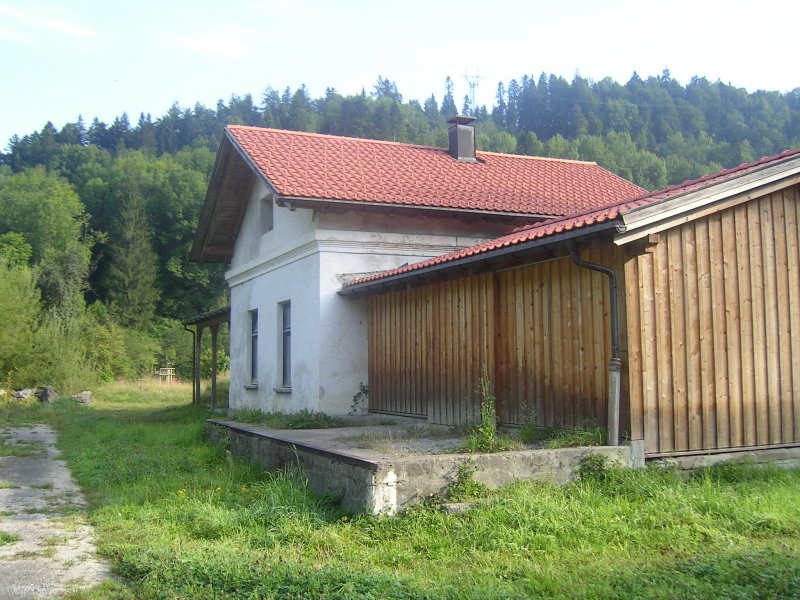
[(712, 336)]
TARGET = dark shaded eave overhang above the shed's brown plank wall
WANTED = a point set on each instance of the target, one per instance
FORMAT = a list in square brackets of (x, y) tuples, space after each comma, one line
[(530, 252)]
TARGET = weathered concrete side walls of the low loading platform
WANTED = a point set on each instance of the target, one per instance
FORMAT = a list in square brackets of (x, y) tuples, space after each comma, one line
[(389, 485)]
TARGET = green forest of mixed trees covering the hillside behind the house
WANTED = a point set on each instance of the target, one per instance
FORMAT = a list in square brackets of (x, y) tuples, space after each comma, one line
[(96, 220)]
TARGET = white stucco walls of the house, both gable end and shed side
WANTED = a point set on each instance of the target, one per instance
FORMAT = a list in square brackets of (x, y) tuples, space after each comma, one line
[(301, 260)]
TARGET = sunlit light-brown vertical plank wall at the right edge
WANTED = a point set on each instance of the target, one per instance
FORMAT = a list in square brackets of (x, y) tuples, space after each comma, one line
[(714, 330)]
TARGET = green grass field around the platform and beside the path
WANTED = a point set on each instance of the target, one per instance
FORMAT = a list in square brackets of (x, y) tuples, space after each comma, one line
[(179, 518)]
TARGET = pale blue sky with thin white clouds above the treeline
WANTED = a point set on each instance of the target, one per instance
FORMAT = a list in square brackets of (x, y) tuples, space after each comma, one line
[(102, 58)]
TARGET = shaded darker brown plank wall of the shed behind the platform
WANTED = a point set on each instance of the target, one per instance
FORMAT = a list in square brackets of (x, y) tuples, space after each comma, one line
[(541, 331)]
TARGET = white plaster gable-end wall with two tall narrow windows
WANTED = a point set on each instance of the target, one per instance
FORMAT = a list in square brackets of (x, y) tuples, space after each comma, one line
[(268, 268)]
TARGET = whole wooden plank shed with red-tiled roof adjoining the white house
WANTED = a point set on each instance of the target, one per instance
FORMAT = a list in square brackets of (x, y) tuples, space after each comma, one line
[(708, 304)]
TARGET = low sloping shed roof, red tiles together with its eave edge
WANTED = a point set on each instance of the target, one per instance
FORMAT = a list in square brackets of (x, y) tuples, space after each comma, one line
[(609, 217)]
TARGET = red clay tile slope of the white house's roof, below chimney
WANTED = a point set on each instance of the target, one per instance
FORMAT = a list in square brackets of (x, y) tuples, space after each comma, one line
[(314, 166)]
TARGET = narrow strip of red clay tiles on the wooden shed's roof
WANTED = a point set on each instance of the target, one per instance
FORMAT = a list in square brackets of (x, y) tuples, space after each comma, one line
[(559, 225)]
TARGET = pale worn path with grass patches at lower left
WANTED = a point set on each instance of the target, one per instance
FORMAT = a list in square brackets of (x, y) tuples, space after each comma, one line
[(46, 545)]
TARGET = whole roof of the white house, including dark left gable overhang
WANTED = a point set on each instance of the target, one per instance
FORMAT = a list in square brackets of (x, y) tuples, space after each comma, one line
[(313, 169)]
